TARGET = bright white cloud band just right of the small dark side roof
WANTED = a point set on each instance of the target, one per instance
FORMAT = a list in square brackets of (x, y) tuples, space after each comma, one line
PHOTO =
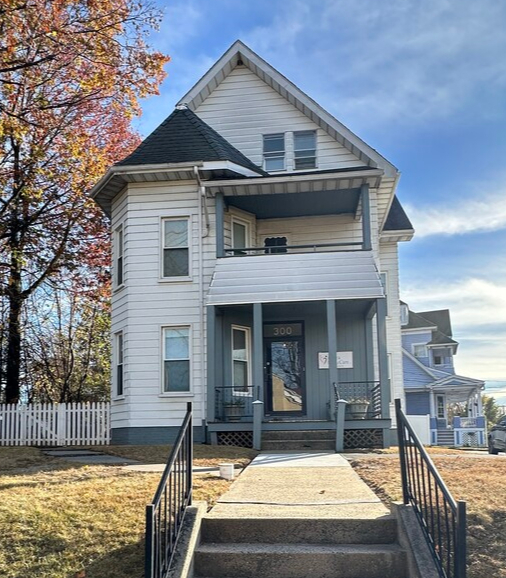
[(479, 214)]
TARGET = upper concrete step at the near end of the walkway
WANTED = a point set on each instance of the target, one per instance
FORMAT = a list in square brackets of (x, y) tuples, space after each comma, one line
[(300, 530)]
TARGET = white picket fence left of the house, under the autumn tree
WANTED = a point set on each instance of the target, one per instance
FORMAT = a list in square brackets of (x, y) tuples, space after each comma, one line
[(63, 424)]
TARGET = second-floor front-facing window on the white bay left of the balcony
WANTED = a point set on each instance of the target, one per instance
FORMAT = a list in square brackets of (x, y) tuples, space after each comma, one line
[(175, 248)]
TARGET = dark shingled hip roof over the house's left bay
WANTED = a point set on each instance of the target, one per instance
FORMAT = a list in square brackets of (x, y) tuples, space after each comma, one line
[(184, 137)]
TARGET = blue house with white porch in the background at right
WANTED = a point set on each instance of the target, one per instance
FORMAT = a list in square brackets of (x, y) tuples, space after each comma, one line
[(432, 388)]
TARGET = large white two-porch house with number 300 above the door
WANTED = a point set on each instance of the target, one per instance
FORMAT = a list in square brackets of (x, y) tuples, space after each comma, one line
[(255, 252)]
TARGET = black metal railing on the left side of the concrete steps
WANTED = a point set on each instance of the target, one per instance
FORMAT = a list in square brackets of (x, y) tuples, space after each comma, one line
[(165, 514)]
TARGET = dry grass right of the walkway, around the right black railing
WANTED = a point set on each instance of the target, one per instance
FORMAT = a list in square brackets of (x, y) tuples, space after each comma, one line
[(479, 481)]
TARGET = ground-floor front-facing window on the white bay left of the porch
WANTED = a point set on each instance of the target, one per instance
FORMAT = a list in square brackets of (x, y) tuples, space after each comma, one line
[(176, 359)]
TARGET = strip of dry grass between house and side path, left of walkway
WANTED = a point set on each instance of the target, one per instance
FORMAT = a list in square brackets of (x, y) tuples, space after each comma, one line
[(203, 455)]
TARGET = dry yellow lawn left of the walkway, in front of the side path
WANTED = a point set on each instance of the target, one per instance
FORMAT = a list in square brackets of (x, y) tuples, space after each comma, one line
[(58, 519)]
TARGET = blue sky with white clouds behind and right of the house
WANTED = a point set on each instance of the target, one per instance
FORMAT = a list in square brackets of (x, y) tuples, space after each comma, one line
[(422, 82)]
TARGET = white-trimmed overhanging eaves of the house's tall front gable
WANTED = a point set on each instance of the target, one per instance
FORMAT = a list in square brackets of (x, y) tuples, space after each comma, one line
[(239, 53)]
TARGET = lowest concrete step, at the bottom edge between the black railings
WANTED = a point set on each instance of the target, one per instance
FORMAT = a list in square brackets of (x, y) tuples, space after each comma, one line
[(299, 561)]
